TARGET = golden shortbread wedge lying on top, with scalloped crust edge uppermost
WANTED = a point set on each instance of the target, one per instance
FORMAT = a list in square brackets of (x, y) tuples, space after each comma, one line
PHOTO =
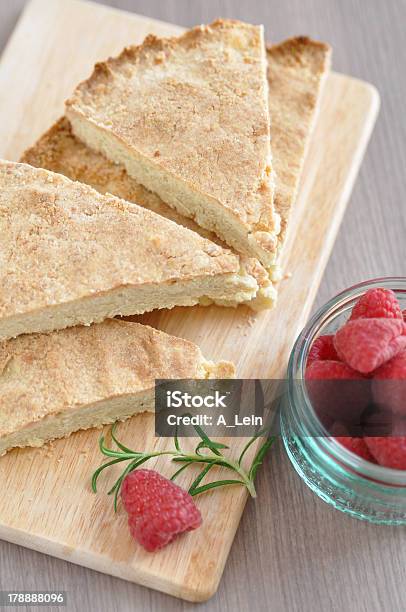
[(188, 117)]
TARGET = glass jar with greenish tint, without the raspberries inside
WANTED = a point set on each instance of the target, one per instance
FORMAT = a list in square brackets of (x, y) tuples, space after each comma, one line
[(348, 482)]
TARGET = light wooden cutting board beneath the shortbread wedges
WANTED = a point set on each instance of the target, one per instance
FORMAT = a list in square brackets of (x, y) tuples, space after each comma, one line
[(47, 503)]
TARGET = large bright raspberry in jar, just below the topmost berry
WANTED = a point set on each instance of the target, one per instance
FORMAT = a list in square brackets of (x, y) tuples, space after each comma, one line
[(365, 344)]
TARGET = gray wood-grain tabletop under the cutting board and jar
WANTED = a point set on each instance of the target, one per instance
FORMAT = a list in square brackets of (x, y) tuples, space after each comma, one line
[(292, 551)]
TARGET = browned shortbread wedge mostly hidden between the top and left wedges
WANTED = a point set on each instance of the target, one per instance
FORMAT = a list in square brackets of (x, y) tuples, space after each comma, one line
[(60, 151)]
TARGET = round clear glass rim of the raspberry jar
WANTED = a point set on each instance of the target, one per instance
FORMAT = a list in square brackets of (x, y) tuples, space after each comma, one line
[(298, 394)]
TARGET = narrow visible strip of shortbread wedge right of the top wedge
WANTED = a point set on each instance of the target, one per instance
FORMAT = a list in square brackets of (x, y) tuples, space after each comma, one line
[(297, 70)]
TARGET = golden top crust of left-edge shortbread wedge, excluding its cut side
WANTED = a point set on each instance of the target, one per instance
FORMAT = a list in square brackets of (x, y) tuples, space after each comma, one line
[(62, 241)]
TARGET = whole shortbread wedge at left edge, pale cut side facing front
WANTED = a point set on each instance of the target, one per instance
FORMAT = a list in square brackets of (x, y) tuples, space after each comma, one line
[(72, 256)]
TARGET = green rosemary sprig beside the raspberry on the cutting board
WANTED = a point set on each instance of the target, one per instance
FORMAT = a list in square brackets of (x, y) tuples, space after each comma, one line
[(214, 457)]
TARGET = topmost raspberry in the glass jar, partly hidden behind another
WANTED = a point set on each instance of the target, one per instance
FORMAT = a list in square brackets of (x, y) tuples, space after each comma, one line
[(375, 304)]
